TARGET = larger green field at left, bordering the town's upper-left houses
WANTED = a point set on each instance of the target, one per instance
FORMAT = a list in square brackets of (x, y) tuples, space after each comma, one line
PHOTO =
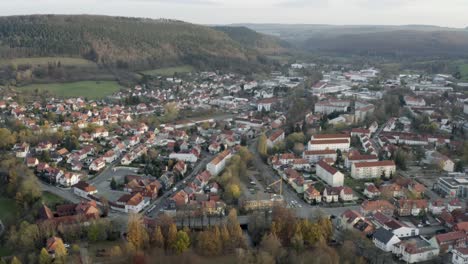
[(88, 89)]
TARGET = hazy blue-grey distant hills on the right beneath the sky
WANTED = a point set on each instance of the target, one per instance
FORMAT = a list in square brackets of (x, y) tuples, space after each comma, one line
[(394, 41)]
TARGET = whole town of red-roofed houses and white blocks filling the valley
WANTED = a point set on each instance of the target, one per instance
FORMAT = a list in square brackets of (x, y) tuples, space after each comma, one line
[(382, 157)]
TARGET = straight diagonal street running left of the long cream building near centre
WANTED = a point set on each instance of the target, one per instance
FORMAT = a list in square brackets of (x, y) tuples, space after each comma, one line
[(160, 202)]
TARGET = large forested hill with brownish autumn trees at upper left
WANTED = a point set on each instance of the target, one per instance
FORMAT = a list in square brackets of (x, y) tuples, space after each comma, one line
[(132, 43)]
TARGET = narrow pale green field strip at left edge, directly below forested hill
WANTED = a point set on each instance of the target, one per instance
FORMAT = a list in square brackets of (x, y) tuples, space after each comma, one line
[(65, 61)]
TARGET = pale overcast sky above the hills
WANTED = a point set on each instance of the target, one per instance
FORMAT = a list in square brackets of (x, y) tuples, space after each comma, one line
[(451, 13)]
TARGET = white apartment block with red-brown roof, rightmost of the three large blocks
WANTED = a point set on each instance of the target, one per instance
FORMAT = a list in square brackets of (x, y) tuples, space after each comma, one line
[(375, 169)]
